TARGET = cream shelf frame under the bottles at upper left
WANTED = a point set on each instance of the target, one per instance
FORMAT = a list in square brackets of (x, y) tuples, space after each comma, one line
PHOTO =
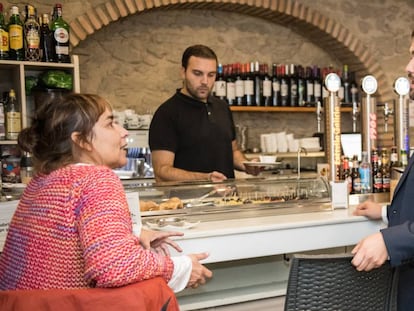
[(14, 73)]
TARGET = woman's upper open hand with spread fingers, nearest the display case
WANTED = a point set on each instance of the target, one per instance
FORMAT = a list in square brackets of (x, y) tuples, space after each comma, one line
[(159, 241)]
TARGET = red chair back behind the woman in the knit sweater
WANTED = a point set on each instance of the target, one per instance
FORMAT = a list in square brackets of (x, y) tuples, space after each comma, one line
[(149, 295)]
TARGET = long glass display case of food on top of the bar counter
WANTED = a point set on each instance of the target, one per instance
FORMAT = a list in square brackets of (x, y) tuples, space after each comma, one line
[(181, 204)]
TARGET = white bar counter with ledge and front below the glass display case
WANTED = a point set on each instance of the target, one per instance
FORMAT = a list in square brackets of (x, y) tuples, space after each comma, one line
[(249, 256)]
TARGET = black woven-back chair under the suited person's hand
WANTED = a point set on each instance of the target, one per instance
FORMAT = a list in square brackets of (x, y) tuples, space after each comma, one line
[(331, 283)]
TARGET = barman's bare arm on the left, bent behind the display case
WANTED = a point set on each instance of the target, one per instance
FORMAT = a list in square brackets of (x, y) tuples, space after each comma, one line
[(164, 170)]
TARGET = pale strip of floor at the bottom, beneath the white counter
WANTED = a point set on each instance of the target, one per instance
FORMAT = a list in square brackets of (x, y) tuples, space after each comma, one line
[(271, 304)]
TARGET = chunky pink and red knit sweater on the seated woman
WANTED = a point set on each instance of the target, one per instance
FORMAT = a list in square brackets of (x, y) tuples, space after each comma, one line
[(72, 229)]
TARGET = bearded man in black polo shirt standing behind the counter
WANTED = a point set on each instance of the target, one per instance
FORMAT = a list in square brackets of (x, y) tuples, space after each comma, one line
[(192, 134)]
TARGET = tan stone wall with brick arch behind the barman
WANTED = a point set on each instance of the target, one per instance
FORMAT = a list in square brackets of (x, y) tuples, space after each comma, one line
[(132, 54)]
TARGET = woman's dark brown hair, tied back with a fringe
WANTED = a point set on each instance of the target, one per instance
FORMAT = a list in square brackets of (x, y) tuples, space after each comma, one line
[(48, 137)]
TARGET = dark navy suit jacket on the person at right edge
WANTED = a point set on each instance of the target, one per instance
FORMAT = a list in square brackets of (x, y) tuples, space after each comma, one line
[(399, 236)]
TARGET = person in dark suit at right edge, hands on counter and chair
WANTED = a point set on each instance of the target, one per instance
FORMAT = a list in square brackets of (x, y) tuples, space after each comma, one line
[(396, 242)]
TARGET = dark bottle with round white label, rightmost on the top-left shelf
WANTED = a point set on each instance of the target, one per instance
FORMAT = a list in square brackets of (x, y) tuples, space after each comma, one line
[(60, 30)]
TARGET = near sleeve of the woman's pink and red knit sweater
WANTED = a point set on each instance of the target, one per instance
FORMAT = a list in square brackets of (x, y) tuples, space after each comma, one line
[(113, 255)]
